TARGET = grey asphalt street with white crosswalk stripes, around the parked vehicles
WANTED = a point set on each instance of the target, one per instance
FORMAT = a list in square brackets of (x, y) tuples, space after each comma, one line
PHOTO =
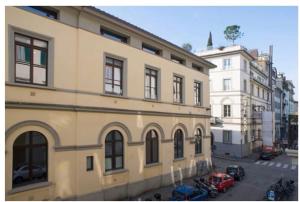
[(259, 176)]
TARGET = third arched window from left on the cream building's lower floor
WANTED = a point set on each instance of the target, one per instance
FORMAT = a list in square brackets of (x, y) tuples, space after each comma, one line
[(151, 147)]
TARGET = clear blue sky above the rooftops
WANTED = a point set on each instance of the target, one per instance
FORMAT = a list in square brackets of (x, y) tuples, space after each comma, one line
[(262, 26)]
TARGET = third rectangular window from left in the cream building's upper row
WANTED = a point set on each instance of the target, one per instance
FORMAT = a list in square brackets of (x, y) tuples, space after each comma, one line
[(151, 83)]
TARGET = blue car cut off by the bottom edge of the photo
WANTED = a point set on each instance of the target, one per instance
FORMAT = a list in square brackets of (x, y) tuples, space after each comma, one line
[(188, 193)]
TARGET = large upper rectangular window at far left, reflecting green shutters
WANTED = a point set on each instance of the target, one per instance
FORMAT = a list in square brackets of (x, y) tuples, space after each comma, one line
[(31, 57)]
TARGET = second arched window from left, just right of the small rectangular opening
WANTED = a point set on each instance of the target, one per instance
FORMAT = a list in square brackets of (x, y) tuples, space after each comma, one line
[(114, 158)]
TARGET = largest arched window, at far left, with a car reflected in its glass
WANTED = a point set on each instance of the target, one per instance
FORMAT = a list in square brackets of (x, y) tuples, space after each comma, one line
[(30, 159)]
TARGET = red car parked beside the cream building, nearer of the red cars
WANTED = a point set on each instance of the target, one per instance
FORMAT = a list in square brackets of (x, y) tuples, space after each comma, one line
[(221, 181)]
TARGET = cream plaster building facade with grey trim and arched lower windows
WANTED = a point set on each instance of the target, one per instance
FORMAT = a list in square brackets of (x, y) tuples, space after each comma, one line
[(97, 108)]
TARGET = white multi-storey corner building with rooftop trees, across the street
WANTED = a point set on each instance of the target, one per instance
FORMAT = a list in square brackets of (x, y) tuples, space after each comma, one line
[(240, 94)]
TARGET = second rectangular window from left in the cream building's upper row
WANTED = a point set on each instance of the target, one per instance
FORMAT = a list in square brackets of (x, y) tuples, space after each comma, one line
[(113, 76)]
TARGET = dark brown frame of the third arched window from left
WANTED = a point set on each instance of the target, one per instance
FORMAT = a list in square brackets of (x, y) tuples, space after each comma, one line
[(150, 150)]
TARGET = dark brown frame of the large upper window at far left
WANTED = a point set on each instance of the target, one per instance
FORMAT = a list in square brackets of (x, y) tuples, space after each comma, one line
[(31, 47)]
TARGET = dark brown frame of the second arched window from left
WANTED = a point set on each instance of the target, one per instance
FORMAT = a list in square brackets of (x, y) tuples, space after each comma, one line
[(113, 156)]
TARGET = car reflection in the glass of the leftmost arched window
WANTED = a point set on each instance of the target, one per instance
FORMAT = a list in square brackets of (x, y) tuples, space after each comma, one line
[(21, 173)]
